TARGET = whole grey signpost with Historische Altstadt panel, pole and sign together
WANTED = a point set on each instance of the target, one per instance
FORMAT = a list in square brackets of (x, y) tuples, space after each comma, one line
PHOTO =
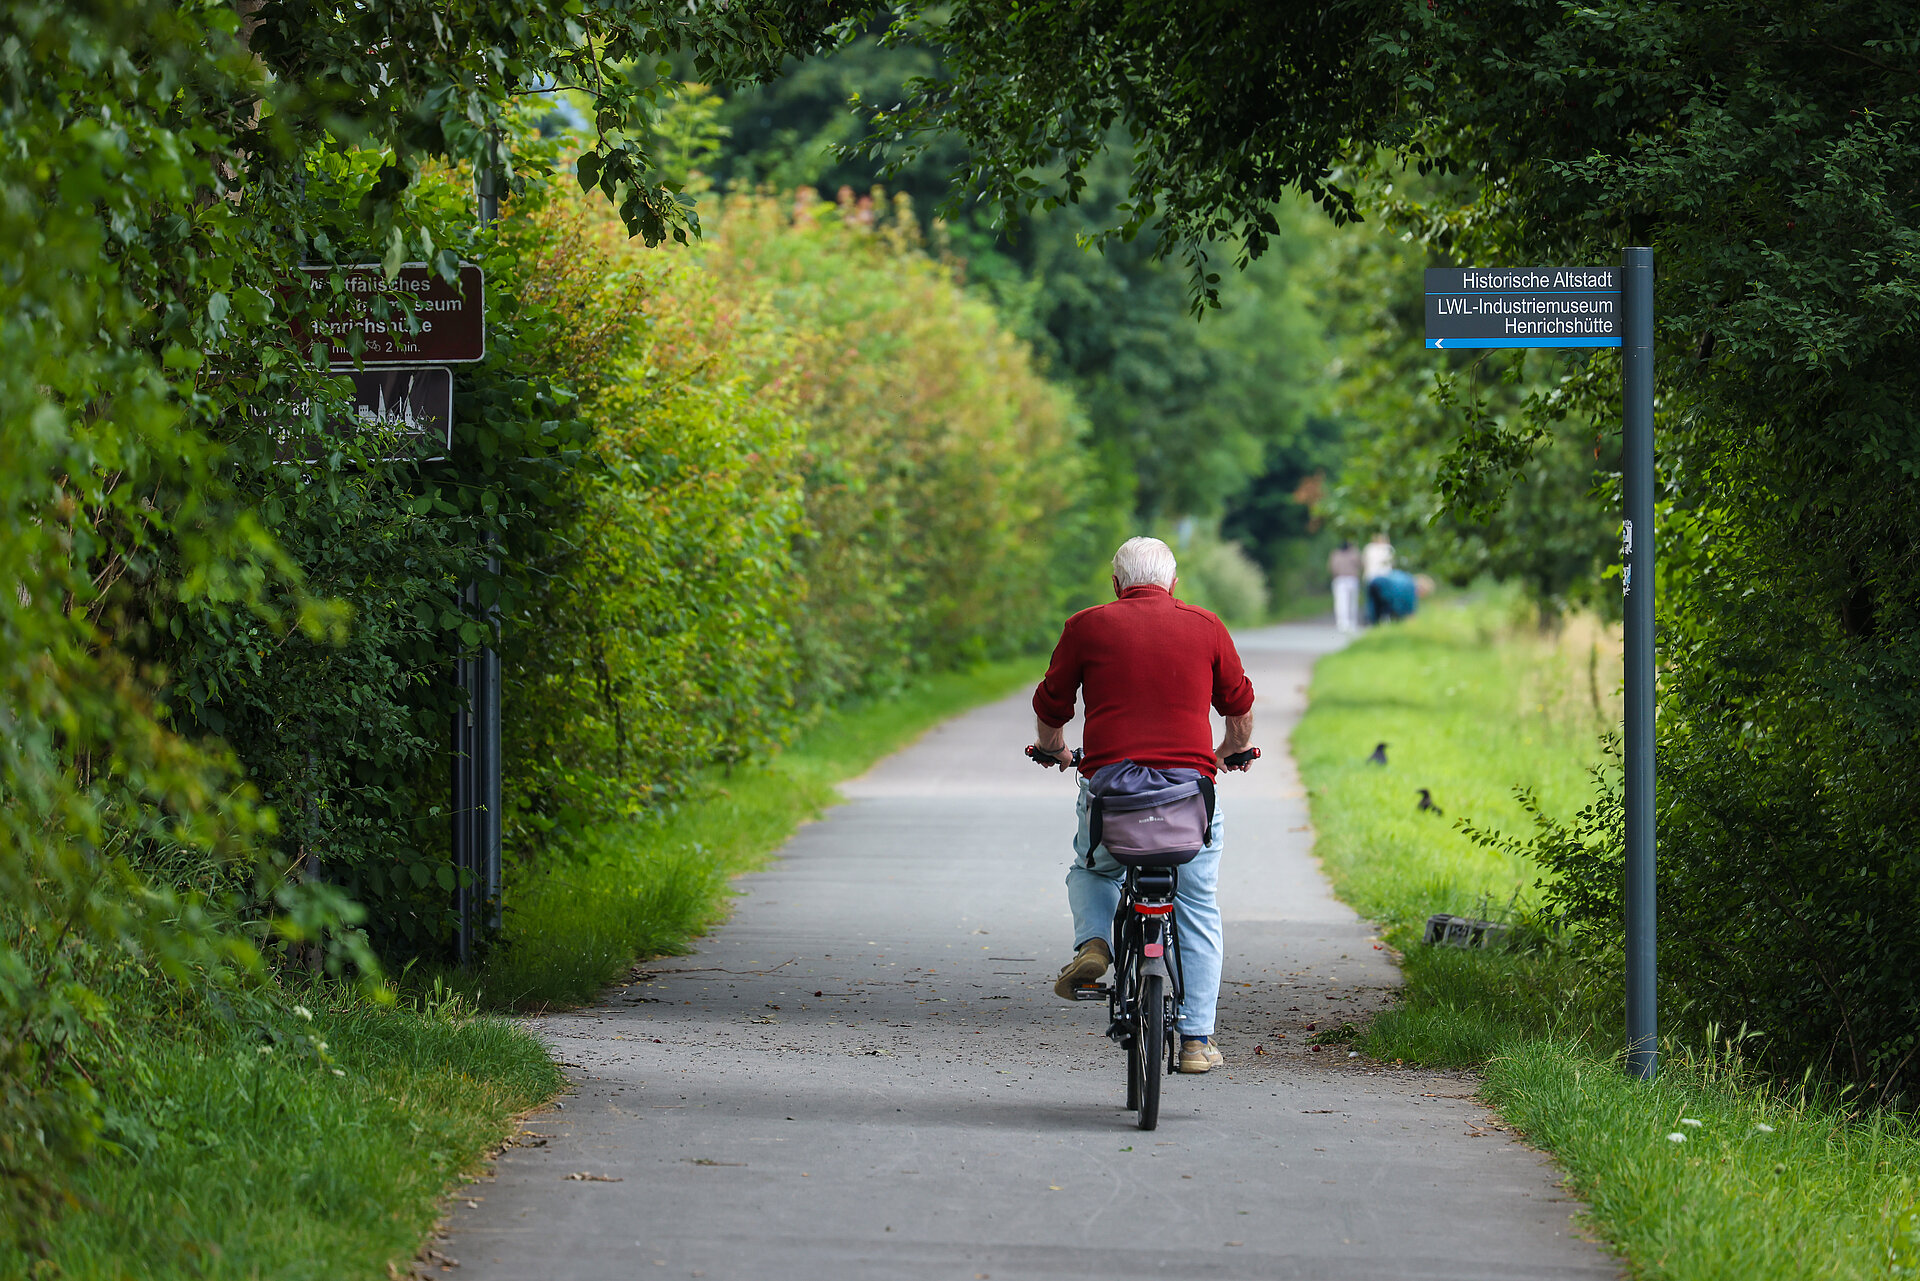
[(1595, 308)]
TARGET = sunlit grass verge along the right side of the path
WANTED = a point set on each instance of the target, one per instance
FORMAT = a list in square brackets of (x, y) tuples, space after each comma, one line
[(1764, 1180)]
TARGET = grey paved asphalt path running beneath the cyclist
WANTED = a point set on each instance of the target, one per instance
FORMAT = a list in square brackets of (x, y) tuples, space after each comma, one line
[(865, 1073)]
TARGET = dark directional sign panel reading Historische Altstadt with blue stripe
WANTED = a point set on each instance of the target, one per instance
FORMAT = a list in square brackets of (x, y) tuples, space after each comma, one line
[(1524, 308)]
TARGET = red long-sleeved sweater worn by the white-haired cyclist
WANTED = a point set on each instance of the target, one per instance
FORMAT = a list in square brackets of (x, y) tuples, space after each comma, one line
[(1151, 667)]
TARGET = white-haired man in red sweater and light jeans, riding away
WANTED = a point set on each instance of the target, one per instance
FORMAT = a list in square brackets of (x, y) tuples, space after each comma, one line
[(1149, 667)]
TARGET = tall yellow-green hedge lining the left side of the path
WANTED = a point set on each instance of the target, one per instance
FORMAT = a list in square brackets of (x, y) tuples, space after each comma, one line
[(817, 466)]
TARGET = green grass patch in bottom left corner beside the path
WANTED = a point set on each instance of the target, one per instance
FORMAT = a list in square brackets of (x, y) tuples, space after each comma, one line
[(291, 1163)]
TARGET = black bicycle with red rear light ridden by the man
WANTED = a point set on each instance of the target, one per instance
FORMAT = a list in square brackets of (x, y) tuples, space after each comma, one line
[(1149, 984)]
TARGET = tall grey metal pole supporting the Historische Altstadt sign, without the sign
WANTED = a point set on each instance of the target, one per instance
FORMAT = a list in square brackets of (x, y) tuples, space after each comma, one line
[(1637, 477)]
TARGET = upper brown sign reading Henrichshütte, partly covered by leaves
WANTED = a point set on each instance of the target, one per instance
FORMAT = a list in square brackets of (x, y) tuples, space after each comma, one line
[(446, 324)]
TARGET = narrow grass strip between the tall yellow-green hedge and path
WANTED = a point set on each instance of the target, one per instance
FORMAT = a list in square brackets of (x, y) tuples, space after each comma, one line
[(650, 888)]
